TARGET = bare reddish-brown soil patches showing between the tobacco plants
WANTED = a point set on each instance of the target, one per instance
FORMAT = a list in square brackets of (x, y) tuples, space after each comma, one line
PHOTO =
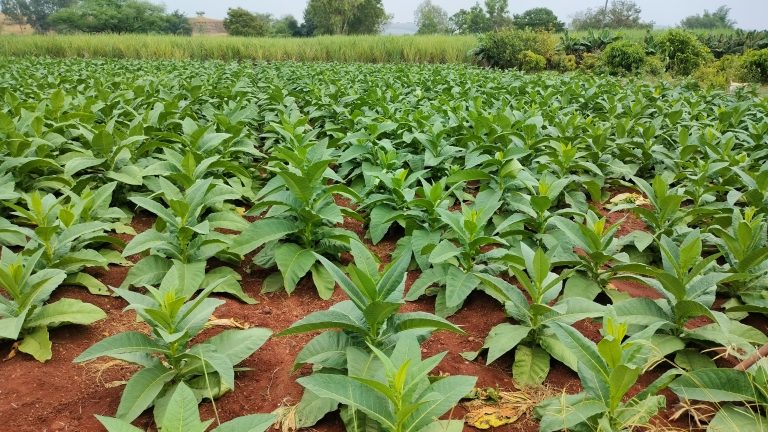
[(62, 396)]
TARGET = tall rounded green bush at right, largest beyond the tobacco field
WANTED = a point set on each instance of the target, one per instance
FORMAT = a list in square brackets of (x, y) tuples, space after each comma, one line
[(683, 51)]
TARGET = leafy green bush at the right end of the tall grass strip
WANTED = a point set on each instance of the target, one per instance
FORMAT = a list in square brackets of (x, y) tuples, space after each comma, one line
[(505, 48)]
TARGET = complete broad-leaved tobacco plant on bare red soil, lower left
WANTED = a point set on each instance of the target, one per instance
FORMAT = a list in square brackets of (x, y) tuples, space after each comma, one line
[(173, 352)]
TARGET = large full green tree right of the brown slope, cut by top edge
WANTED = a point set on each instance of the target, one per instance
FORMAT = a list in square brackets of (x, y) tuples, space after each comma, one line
[(344, 16)]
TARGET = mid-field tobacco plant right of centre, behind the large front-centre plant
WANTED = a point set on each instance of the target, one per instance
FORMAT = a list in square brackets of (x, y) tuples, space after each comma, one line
[(459, 258)]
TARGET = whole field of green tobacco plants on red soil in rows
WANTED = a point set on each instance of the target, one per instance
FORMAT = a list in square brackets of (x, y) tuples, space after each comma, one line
[(377, 248)]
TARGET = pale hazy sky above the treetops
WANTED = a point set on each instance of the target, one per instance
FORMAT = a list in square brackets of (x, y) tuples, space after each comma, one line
[(749, 14)]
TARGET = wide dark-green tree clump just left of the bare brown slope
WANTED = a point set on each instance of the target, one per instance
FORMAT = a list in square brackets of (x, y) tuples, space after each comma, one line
[(118, 16)]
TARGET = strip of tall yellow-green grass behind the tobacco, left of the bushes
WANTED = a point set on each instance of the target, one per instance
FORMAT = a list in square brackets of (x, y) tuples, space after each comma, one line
[(367, 49)]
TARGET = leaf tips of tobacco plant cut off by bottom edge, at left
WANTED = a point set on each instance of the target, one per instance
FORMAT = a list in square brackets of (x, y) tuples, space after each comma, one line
[(182, 415)]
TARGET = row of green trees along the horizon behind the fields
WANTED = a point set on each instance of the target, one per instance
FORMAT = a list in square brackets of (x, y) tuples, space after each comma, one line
[(331, 17)]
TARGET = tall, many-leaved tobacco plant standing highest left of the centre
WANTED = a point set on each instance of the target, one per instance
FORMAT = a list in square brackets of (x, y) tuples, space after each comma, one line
[(300, 219)]
